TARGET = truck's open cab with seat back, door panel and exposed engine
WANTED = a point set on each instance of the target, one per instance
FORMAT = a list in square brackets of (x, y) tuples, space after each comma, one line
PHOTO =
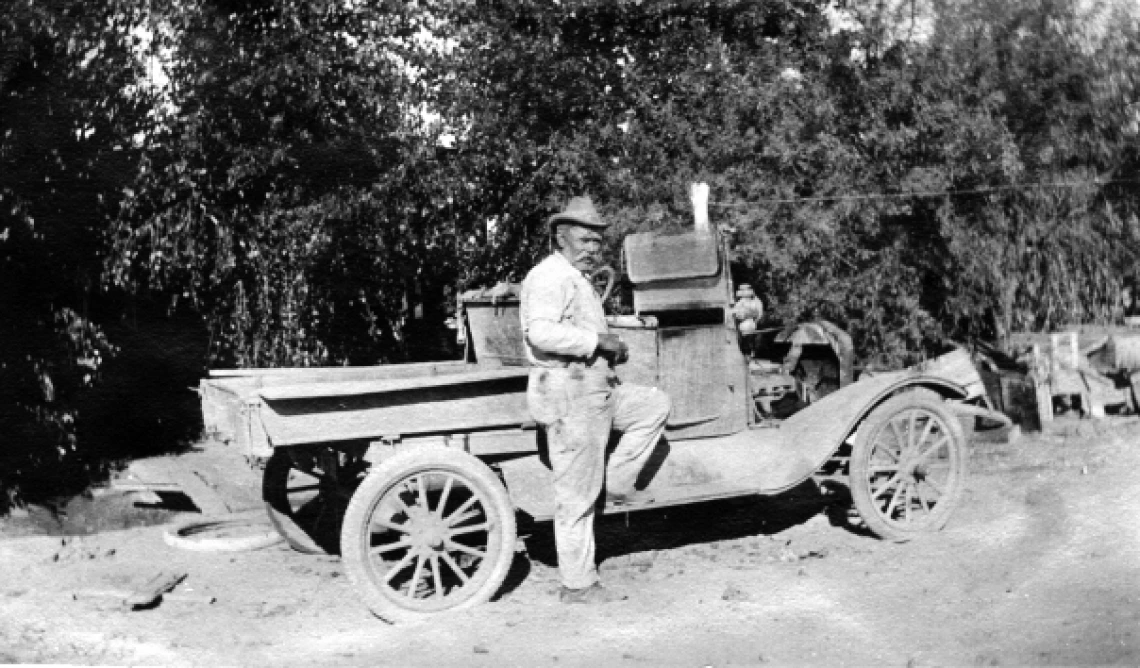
[(686, 339)]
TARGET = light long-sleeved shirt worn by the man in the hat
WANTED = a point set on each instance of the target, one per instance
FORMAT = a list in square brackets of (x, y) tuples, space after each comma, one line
[(561, 314)]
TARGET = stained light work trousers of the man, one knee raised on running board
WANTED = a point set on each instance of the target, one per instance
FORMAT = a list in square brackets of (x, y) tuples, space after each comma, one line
[(580, 409)]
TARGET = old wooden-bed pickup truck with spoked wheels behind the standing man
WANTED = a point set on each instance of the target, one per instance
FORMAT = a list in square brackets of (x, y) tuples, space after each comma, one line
[(419, 474)]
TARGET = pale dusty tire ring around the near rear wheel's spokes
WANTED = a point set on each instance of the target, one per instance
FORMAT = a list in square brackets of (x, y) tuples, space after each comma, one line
[(356, 535)]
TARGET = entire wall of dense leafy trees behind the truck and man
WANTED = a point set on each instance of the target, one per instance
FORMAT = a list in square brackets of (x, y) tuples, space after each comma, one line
[(315, 180)]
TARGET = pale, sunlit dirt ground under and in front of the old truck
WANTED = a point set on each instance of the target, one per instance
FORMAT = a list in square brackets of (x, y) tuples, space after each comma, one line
[(1040, 566)]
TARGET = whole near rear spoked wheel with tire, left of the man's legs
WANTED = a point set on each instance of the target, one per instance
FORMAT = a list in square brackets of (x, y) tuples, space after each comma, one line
[(430, 529)]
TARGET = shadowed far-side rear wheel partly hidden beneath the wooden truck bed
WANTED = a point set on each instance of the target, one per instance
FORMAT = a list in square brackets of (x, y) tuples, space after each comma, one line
[(303, 502)]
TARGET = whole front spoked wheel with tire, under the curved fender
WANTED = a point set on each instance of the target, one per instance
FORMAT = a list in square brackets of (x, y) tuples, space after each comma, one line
[(908, 467)]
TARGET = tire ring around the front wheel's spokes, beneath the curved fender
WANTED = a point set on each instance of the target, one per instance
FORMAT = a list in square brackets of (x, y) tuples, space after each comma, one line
[(860, 477)]
